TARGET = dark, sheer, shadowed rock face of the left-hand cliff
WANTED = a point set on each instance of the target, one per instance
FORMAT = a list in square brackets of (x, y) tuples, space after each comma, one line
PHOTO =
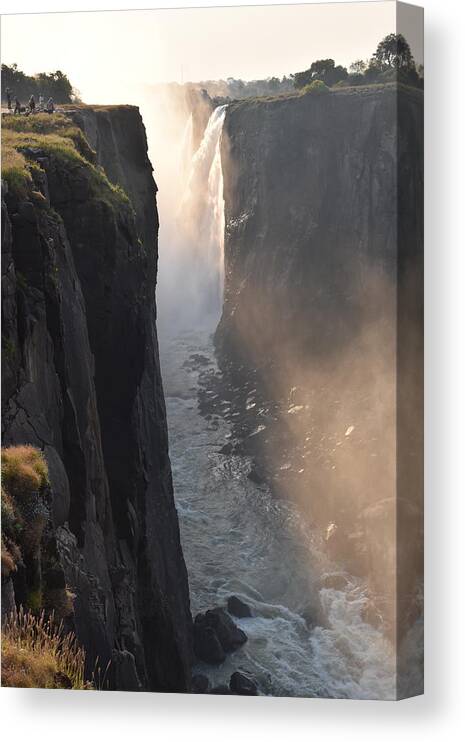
[(81, 380)]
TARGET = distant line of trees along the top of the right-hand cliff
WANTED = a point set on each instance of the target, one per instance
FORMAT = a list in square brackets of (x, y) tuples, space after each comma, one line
[(392, 61)]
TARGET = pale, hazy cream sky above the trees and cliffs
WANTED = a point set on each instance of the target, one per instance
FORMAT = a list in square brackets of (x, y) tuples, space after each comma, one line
[(107, 55)]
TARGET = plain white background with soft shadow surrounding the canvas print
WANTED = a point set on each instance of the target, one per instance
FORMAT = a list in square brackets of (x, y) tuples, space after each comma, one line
[(61, 715)]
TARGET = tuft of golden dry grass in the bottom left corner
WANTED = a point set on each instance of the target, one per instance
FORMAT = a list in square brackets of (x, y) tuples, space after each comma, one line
[(36, 653)]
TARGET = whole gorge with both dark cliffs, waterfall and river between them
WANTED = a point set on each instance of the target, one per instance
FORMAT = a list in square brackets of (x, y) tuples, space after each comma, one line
[(279, 292)]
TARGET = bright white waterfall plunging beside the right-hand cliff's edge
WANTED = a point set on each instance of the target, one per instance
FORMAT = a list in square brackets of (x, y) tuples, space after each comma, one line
[(201, 218)]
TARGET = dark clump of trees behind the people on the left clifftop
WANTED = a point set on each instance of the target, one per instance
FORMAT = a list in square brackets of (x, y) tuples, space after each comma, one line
[(54, 85)]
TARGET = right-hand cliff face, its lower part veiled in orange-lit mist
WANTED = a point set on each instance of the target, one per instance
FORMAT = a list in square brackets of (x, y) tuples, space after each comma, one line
[(323, 277)]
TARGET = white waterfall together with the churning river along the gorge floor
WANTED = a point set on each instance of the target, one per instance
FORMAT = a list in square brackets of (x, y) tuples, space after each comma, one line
[(303, 639)]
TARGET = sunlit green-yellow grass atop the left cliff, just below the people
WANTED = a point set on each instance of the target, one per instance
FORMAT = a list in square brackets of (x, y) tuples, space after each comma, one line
[(23, 137)]
